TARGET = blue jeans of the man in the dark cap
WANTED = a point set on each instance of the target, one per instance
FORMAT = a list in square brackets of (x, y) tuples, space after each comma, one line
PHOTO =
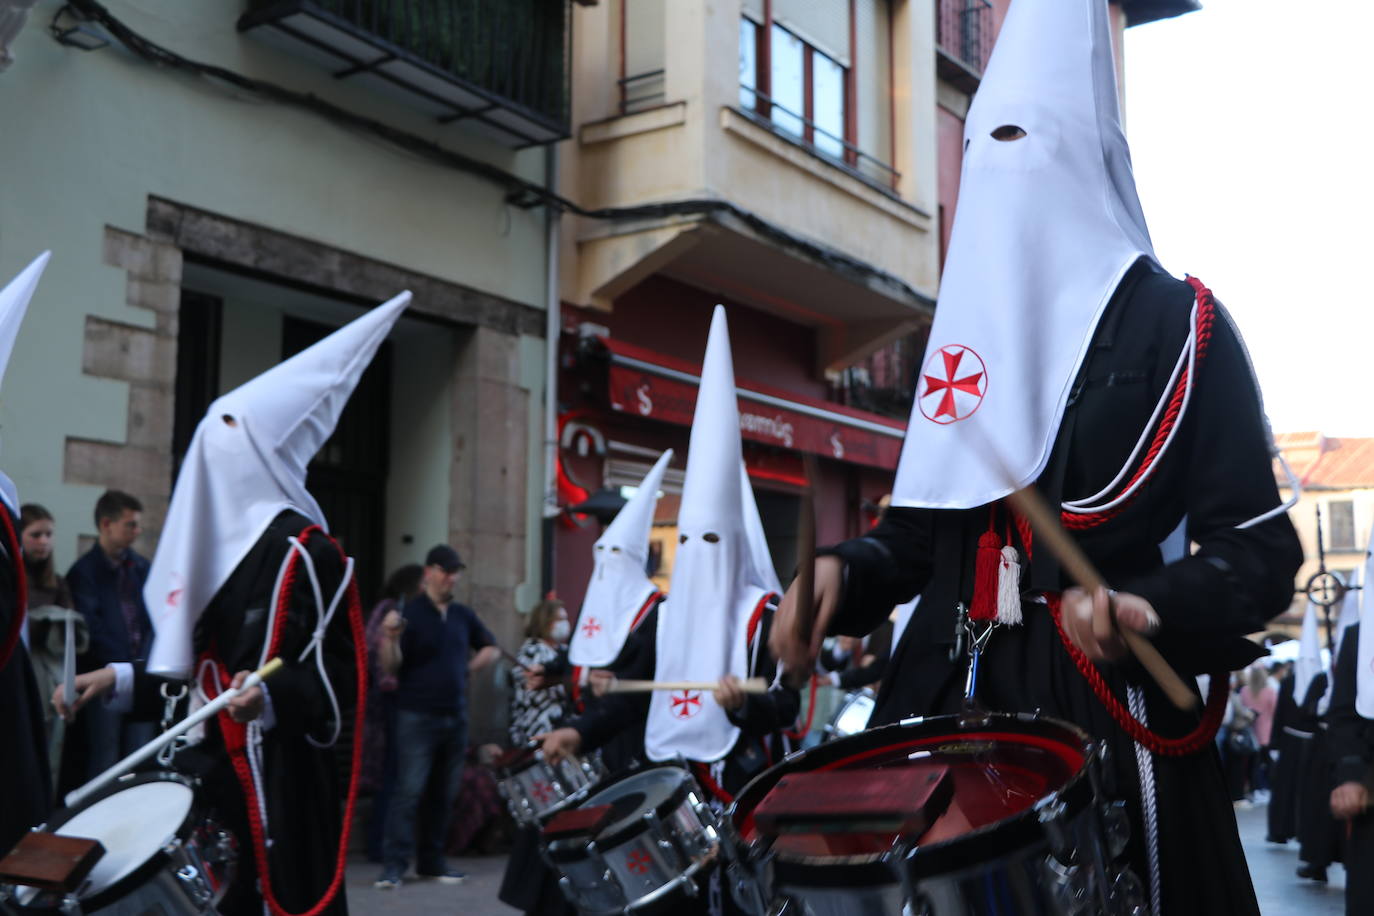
[(427, 744)]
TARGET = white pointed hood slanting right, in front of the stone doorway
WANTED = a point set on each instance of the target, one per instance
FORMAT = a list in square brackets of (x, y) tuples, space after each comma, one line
[(247, 465)]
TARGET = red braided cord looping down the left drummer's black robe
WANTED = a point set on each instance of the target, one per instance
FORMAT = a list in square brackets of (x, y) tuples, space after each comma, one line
[(238, 755)]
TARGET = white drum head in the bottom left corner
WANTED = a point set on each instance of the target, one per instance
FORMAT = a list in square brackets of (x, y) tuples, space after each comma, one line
[(133, 823)]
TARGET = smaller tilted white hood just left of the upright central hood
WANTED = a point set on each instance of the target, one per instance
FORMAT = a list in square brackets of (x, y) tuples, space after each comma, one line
[(620, 587)]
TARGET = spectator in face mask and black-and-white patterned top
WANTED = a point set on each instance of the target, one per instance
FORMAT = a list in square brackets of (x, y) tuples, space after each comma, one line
[(539, 702)]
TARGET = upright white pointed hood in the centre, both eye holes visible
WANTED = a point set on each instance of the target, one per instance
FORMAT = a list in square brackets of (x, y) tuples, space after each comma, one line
[(703, 626)]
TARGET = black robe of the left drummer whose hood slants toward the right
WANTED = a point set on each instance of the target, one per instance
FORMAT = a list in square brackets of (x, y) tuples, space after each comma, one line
[(306, 786)]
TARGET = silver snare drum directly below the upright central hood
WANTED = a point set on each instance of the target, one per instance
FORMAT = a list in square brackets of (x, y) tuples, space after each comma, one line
[(646, 849)]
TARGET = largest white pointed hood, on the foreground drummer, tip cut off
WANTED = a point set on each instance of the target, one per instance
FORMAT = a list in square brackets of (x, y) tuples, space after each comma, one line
[(1046, 227)]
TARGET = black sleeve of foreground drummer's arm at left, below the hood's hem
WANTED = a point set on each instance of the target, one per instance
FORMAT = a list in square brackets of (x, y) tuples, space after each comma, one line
[(886, 568)]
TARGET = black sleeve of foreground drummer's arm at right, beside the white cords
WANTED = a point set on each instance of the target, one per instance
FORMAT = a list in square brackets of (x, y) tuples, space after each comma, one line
[(1239, 577)]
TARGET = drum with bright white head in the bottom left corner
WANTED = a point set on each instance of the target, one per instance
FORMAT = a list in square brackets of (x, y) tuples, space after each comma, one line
[(161, 854)]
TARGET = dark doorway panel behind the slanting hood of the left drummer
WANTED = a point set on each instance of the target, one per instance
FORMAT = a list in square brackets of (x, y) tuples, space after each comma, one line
[(348, 477)]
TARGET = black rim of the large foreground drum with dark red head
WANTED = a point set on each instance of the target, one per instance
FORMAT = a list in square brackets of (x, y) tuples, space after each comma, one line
[(991, 841)]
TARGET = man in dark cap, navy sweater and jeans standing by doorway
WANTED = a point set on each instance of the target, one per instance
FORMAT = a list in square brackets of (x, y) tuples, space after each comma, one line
[(429, 648)]
